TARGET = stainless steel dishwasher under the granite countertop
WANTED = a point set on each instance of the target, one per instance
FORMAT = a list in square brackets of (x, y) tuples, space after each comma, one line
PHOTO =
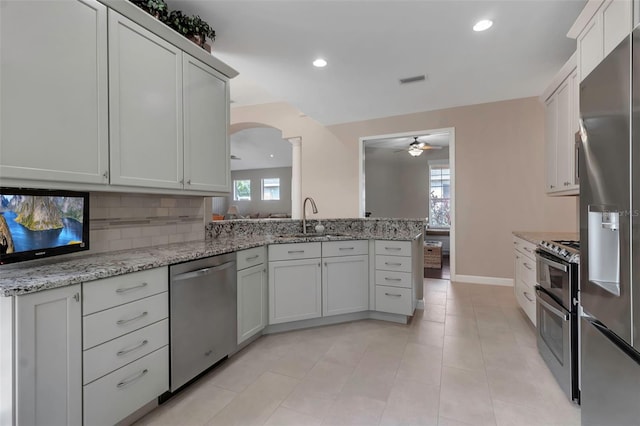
[(203, 317)]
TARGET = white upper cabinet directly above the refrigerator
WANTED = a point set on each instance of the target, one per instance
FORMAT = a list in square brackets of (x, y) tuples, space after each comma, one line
[(599, 28)]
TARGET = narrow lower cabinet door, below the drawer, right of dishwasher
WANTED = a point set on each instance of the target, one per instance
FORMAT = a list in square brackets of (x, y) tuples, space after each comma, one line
[(252, 301)]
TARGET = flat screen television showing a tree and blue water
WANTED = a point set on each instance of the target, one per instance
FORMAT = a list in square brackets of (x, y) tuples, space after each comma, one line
[(37, 223)]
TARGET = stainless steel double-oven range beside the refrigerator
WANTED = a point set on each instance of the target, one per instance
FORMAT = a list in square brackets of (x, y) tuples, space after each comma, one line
[(557, 312)]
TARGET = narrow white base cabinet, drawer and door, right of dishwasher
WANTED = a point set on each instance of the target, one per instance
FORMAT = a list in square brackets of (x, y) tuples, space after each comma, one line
[(252, 293)]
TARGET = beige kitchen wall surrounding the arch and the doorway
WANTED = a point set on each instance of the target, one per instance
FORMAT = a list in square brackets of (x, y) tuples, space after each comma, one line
[(500, 172)]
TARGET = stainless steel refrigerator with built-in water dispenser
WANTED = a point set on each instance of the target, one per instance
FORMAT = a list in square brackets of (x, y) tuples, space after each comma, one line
[(610, 238)]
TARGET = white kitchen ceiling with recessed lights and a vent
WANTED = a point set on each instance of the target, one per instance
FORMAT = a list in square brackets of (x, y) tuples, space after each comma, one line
[(371, 44)]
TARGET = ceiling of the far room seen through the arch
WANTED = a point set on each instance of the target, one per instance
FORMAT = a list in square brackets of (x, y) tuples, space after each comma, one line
[(260, 148)]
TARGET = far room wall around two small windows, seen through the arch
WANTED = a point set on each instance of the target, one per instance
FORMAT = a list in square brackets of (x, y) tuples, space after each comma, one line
[(257, 205)]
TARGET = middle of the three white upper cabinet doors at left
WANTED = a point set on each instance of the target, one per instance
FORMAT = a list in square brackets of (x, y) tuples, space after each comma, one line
[(145, 100)]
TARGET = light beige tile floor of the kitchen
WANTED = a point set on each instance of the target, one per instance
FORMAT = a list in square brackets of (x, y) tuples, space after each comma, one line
[(469, 358)]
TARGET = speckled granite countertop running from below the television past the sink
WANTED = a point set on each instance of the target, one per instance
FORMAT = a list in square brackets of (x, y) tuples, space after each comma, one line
[(21, 278)]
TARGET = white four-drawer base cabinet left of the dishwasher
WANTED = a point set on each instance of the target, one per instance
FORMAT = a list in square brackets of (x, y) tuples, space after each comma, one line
[(126, 337)]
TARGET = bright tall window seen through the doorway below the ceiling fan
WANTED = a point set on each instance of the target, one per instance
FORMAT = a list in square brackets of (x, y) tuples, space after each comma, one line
[(439, 195)]
